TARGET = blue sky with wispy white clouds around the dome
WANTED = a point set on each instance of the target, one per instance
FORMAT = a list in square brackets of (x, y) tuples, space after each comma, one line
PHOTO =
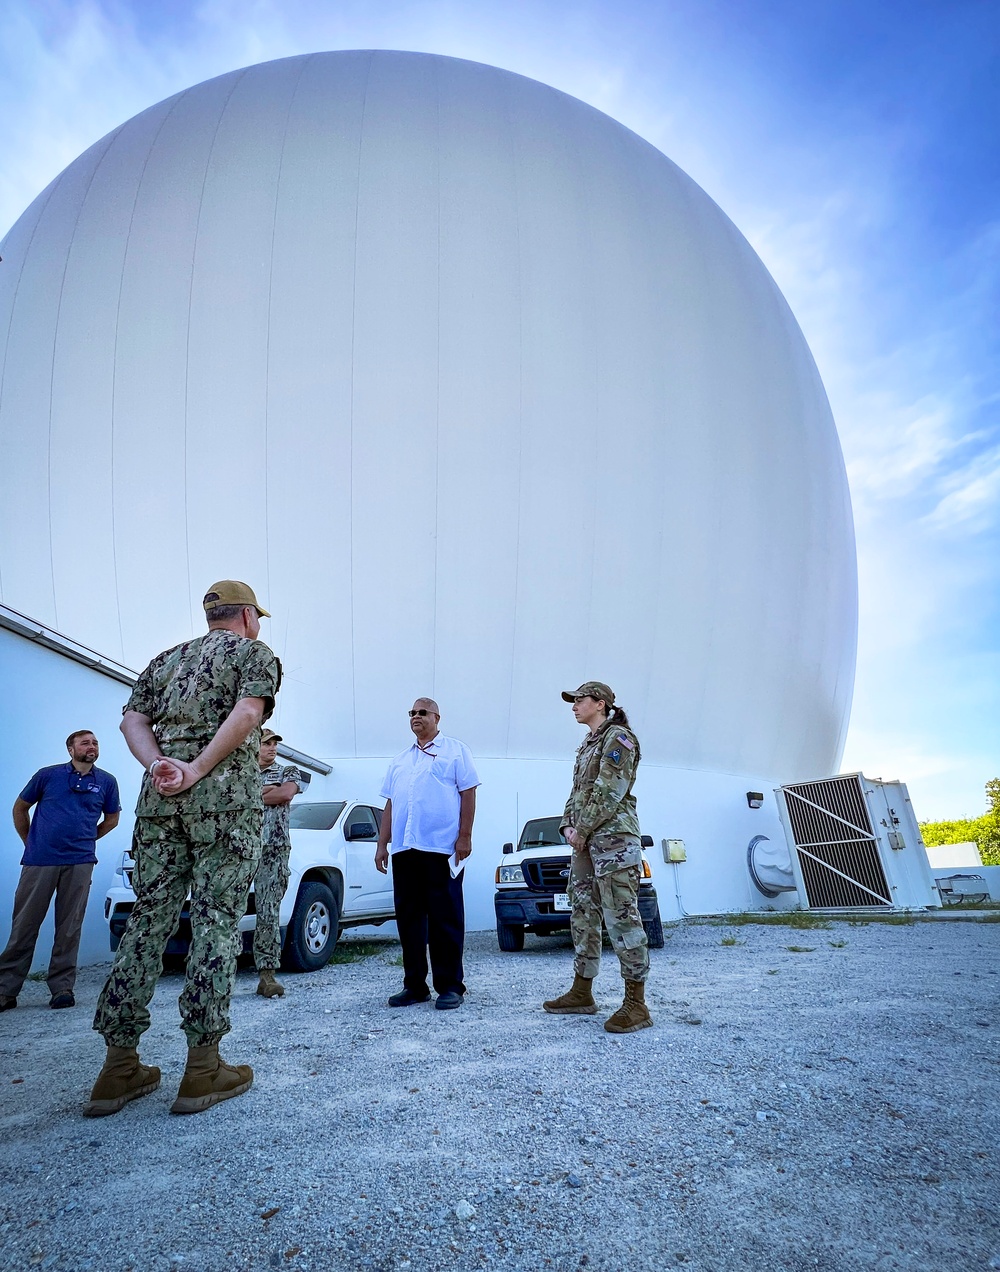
[(856, 146)]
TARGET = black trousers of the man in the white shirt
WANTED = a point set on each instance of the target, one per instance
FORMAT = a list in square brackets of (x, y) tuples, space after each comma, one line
[(431, 911)]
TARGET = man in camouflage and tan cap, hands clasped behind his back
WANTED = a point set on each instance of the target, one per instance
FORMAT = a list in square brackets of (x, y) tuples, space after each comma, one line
[(194, 724)]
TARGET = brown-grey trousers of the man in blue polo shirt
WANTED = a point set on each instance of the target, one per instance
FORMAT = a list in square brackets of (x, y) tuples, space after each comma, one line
[(72, 886)]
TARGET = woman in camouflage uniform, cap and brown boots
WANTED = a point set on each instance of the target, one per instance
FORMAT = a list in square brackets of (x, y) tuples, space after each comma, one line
[(601, 825)]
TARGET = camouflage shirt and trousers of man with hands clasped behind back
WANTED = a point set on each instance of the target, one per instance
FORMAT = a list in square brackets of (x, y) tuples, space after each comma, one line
[(207, 840)]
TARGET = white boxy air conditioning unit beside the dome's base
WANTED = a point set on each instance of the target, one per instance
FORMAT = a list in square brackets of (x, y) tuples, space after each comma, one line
[(856, 844)]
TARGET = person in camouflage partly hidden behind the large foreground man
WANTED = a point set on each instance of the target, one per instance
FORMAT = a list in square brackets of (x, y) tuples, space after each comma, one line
[(281, 785)]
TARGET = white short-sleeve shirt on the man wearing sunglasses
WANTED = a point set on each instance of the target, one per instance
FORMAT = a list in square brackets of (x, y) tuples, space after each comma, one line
[(424, 785)]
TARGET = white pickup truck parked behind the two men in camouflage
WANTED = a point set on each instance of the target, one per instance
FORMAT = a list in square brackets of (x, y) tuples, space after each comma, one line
[(334, 885)]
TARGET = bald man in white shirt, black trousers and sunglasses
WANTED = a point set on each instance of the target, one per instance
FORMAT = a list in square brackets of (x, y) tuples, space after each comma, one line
[(431, 793)]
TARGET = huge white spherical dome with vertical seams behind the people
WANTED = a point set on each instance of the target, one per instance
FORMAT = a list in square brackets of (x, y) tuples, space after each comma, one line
[(482, 394)]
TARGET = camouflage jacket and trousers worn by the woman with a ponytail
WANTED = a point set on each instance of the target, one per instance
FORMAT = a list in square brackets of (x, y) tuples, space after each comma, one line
[(605, 873)]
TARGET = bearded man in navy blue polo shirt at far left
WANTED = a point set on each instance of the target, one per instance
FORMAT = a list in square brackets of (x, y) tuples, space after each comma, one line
[(76, 805)]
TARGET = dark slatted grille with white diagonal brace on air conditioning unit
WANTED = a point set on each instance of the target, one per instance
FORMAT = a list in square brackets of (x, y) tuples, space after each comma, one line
[(837, 845)]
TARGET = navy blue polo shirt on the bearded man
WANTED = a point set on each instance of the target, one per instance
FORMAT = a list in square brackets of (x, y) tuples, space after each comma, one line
[(69, 807)]
